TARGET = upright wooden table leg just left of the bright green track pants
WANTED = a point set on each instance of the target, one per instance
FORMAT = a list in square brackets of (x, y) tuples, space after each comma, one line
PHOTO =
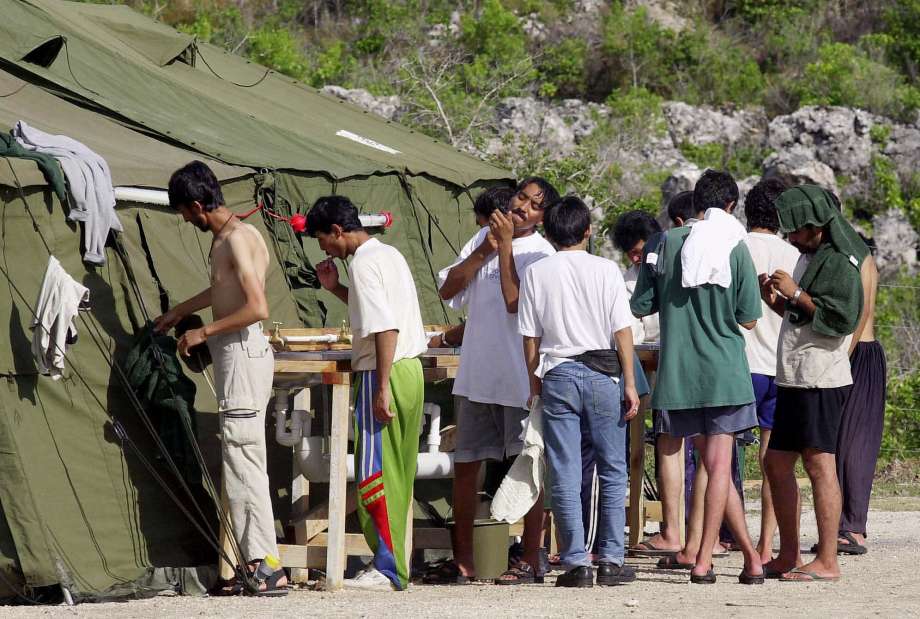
[(335, 553)]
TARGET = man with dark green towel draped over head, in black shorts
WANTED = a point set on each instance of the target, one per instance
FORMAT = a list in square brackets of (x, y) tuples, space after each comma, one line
[(821, 304)]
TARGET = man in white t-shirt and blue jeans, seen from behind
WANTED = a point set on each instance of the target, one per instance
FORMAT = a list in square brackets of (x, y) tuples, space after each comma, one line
[(573, 310)]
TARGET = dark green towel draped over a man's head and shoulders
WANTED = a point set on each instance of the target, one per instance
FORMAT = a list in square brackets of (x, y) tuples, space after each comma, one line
[(832, 277)]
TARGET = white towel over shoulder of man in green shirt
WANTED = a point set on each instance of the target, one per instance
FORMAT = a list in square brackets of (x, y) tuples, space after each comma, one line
[(705, 255)]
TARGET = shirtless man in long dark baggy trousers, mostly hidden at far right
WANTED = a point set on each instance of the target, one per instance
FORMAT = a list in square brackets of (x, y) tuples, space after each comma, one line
[(860, 436)]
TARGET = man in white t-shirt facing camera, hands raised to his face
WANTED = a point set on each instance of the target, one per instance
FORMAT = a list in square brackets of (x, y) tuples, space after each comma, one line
[(491, 387)]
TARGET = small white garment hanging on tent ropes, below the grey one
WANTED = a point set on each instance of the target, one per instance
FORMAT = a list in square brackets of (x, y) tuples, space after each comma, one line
[(52, 326)]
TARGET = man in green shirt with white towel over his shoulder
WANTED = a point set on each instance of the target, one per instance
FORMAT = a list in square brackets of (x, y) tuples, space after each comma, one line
[(702, 282)]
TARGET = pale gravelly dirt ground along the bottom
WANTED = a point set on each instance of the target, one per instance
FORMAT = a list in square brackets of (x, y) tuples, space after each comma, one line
[(883, 582)]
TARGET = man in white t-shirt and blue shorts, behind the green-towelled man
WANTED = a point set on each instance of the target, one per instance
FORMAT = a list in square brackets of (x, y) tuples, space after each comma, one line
[(769, 253)]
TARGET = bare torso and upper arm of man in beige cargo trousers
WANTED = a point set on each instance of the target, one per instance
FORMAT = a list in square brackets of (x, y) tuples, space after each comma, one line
[(239, 262)]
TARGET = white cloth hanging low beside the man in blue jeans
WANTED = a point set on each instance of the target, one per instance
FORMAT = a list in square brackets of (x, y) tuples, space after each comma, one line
[(521, 487)]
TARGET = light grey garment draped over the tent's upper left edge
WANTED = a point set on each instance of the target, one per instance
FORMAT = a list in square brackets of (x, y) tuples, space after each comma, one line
[(89, 182)]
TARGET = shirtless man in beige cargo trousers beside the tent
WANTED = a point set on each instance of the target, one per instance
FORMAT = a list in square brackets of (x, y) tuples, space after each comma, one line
[(243, 360)]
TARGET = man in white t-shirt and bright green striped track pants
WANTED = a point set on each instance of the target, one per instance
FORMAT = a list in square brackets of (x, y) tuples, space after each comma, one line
[(388, 337)]
